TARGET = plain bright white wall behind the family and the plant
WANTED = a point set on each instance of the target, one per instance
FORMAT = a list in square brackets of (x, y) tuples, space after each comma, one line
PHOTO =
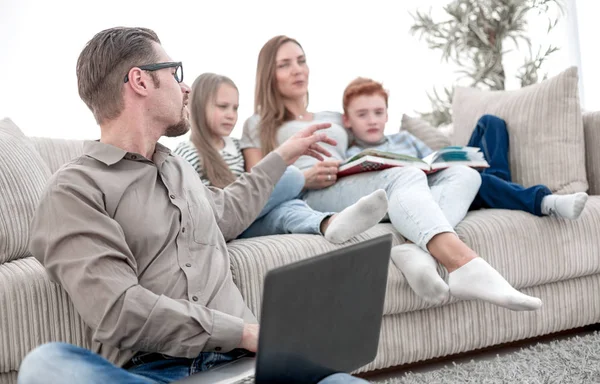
[(41, 40)]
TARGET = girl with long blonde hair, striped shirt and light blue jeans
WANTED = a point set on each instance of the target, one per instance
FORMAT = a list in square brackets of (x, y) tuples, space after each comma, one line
[(218, 159)]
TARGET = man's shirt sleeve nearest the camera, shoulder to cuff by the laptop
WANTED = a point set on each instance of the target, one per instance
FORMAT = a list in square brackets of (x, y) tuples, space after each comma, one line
[(85, 251)]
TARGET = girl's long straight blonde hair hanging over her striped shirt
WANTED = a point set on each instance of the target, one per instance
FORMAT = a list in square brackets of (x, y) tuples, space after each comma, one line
[(204, 91)]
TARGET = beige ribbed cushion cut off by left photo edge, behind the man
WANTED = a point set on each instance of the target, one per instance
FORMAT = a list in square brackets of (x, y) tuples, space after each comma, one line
[(22, 178)]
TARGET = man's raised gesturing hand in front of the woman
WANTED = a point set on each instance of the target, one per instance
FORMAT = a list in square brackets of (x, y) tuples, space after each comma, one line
[(304, 142)]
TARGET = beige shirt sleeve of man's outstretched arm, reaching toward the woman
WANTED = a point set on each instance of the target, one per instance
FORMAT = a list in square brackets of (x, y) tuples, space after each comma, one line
[(238, 205)]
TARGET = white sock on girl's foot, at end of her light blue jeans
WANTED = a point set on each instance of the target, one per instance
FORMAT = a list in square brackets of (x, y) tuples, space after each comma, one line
[(358, 217)]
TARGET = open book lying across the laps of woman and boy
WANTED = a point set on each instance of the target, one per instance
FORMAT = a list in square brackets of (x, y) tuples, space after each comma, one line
[(374, 160)]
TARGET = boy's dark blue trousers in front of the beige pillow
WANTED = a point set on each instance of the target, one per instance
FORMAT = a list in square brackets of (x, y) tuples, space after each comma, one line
[(497, 189)]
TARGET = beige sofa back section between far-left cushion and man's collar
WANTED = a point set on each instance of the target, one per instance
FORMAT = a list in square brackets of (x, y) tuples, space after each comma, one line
[(57, 152)]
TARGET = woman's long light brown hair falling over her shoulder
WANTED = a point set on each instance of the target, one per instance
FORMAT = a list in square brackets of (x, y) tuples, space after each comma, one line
[(268, 102)]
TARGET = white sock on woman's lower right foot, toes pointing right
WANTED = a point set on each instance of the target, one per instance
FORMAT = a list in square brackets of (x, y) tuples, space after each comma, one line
[(479, 280)]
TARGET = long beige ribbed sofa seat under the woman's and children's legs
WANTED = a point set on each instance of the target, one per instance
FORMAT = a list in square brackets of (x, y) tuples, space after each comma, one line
[(527, 250)]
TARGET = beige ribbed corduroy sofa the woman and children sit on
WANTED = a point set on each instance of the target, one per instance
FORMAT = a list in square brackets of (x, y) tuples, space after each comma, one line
[(556, 260)]
